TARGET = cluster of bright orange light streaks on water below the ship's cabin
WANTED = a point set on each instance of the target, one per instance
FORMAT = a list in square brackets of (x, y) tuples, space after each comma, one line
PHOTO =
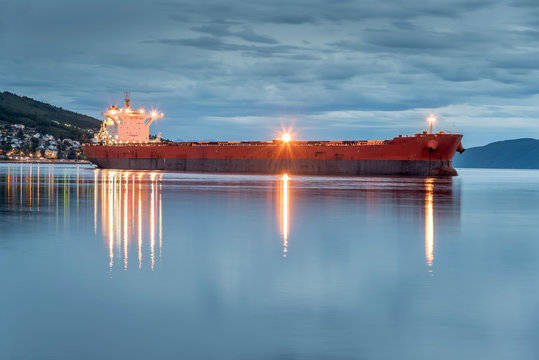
[(127, 205)]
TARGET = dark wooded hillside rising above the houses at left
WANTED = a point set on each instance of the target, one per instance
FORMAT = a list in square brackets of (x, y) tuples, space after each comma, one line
[(45, 118)]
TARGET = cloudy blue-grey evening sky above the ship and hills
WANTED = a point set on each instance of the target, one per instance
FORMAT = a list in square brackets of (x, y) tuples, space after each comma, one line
[(247, 70)]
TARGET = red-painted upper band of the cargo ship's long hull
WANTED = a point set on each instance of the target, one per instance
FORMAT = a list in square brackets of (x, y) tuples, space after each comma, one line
[(429, 148)]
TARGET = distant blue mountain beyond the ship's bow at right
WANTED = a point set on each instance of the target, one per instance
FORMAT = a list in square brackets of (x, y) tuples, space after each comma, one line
[(508, 154)]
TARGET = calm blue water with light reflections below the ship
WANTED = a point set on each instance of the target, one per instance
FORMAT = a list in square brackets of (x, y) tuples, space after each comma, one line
[(98, 264)]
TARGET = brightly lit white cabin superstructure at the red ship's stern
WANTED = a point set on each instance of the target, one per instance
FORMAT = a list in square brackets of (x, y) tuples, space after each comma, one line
[(126, 125)]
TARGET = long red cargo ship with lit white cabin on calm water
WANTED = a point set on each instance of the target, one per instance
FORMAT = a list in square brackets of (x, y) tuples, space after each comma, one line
[(124, 143)]
